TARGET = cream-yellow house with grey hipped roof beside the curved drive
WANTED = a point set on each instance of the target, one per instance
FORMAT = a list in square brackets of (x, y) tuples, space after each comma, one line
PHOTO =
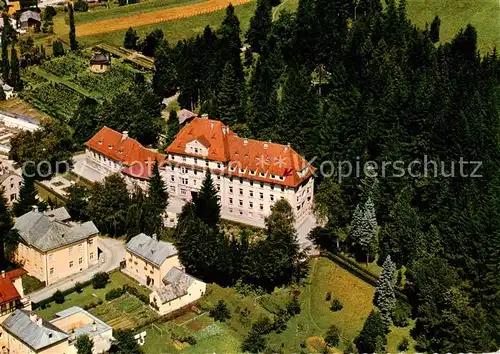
[(53, 247)]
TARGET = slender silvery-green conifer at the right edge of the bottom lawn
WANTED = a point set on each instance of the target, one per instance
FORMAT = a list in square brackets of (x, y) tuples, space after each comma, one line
[(385, 298)]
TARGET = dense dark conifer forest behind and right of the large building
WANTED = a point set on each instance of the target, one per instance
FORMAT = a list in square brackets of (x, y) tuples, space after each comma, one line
[(349, 80)]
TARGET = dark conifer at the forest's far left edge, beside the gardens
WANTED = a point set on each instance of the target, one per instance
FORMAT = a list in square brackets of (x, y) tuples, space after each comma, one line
[(165, 81)]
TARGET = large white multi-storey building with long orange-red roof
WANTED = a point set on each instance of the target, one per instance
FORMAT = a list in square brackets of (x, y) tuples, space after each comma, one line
[(250, 175)]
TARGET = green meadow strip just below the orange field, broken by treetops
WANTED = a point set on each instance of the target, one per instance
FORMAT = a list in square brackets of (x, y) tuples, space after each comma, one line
[(179, 29)]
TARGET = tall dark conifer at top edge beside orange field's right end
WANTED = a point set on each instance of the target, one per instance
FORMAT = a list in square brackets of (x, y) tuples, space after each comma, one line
[(260, 25)]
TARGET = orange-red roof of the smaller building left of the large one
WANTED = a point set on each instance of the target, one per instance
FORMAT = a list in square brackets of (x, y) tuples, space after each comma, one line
[(126, 150)]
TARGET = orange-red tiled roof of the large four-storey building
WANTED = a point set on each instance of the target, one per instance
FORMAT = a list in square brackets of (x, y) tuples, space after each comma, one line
[(240, 153)]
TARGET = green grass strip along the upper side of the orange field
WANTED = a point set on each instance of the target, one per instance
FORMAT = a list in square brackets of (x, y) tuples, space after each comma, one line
[(102, 13)]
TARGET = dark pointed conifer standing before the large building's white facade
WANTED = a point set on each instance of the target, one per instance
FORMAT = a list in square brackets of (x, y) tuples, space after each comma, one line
[(206, 202)]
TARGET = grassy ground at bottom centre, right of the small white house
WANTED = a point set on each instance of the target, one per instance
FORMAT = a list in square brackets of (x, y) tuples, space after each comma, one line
[(307, 328)]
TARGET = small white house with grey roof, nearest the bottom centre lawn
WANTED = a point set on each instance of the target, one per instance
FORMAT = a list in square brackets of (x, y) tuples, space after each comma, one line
[(180, 289)]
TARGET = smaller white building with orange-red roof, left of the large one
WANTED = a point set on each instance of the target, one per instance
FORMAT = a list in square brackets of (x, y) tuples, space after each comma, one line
[(109, 152)]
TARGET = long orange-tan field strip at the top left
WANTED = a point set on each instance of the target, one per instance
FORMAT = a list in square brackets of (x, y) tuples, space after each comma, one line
[(150, 18)]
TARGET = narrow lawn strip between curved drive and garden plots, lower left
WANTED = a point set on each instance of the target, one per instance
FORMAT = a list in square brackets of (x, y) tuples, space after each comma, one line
[(88, 295)]
